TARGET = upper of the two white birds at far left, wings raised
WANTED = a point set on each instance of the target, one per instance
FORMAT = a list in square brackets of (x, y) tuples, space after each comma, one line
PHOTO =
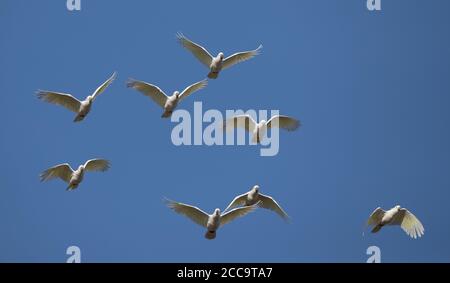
[(82, 108)]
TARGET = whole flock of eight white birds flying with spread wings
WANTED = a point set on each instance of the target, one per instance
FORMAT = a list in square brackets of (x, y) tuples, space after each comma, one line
[(242, 204)]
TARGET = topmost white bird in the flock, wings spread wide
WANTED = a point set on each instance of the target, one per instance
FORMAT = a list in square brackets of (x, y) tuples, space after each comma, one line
[(218, 63)]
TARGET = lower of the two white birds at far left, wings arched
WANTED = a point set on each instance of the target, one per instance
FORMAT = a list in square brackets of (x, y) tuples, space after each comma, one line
[(74, 177)]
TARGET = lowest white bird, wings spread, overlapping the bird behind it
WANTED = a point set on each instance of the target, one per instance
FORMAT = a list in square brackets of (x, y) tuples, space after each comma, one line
[(211, 222)]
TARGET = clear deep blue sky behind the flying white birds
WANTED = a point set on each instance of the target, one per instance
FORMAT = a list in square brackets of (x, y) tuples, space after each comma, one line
[(371, 88)]
